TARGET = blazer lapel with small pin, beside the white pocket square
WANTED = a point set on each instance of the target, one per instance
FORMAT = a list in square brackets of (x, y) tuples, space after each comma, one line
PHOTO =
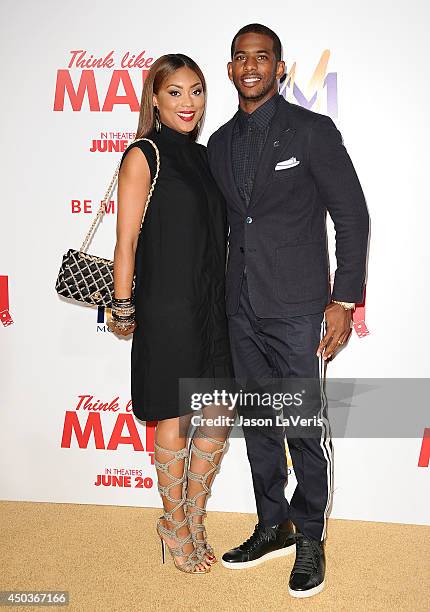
[(278, 138)]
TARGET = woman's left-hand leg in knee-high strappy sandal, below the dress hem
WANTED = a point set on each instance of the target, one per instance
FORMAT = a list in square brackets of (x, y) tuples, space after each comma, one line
[(171, 461)]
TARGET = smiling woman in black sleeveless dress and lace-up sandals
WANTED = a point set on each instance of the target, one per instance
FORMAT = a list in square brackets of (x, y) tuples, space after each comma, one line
[(177, 312)]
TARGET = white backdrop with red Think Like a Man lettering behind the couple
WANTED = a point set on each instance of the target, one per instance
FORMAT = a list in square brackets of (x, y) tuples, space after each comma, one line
[(72, 75)]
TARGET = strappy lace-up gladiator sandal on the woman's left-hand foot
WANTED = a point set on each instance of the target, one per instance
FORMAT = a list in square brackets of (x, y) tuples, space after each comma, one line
[(192, 559)]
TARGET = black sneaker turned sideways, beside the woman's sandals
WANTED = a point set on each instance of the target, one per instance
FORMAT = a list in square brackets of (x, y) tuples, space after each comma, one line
[(265, 543)]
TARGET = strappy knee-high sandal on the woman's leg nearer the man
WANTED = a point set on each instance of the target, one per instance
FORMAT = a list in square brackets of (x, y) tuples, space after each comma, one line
[(198, 530)]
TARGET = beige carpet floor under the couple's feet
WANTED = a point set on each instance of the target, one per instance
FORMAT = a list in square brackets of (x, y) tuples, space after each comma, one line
[(109, 559)]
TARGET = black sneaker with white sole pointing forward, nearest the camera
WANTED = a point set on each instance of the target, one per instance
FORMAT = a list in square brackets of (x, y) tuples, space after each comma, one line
[(307, 575)]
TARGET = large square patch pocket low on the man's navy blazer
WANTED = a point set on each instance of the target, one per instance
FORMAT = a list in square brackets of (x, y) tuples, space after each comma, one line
[(302, 272)]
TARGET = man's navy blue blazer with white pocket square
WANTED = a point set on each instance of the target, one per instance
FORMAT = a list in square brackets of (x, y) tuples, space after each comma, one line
[(281, 237)]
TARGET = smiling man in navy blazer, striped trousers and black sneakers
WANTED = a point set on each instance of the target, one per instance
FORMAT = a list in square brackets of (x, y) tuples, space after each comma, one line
[(281, 168)]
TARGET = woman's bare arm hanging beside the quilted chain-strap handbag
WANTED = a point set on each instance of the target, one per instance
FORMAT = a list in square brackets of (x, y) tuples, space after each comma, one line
[(134, 182)]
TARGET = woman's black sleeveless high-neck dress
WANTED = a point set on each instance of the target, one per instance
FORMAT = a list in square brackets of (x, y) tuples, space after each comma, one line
[(180, 291)]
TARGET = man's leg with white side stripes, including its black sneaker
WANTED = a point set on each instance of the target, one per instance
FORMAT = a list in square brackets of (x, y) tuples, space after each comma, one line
[(293, 342)]
